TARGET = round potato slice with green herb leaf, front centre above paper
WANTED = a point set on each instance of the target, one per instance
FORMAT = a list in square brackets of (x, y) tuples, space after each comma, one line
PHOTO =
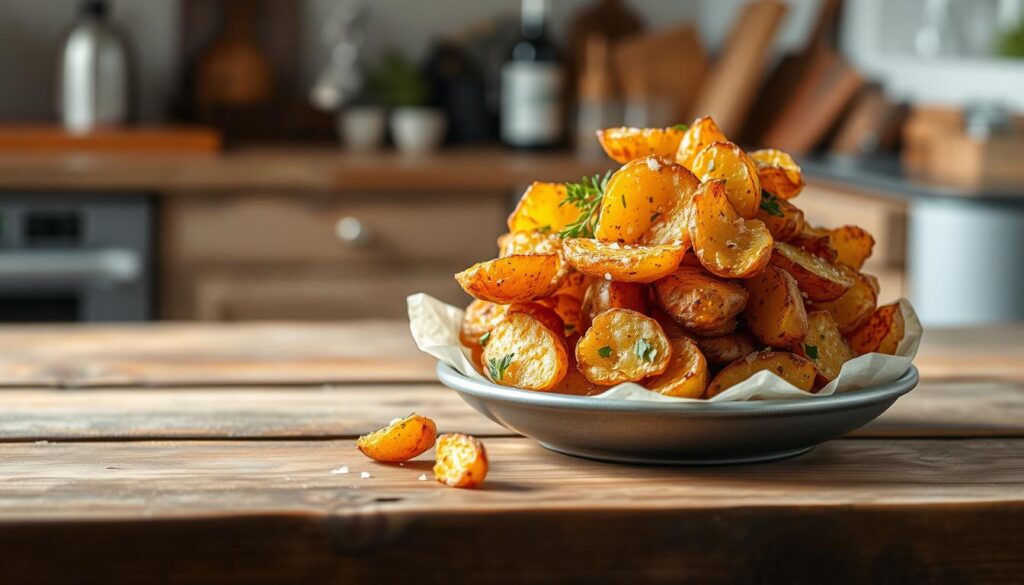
[(623, 346)]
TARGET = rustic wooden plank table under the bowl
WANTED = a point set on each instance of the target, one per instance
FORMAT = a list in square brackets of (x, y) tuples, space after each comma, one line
[(204, 454)]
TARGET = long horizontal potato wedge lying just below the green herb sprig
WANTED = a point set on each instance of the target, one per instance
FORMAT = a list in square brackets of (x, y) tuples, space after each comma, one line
[(622, 263)]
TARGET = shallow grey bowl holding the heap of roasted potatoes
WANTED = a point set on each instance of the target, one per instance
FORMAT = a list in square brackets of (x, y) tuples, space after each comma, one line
[(687, 434)]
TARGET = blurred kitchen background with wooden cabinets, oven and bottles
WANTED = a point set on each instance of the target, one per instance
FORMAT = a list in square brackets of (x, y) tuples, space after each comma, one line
[(323, 159)]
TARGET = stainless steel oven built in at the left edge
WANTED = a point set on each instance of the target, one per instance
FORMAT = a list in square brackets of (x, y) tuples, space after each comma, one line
[(76, 258)]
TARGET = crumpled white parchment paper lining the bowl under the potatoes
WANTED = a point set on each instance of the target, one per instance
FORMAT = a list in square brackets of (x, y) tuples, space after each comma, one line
[(436, 329)]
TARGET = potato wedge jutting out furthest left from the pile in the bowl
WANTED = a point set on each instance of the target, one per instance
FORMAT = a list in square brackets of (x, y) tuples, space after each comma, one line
[(513, 279)]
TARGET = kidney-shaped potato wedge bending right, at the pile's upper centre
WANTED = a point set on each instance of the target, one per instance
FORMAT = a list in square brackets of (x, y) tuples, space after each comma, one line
[(726, 243)]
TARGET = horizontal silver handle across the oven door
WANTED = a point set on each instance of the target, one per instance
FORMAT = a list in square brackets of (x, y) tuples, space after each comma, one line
[(69, 268)]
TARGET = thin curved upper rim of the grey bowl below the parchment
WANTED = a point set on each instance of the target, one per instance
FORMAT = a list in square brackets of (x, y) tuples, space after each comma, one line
[(842, 401)]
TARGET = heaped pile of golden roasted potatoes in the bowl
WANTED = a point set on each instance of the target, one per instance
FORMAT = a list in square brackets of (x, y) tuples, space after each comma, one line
[(701, 273)]
